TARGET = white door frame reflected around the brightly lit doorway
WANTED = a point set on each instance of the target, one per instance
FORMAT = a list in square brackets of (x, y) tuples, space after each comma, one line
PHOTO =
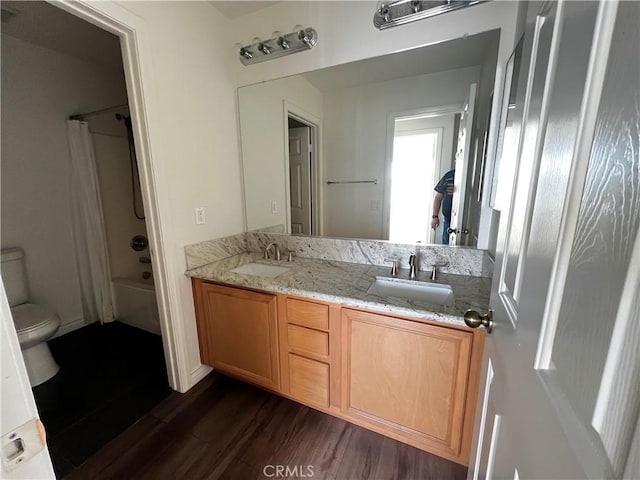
[(451, 109)]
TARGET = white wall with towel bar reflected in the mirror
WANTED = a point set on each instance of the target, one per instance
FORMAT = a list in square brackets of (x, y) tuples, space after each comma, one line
[(356, 143)]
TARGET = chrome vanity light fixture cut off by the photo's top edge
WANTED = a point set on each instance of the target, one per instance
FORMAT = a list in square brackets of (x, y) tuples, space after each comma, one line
[(398, 12)]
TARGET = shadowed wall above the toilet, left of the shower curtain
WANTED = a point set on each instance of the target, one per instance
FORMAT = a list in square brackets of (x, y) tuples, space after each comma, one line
[(40, 89)]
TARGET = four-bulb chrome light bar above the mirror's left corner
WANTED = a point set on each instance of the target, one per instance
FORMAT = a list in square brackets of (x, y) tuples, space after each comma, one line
[(279, 46)]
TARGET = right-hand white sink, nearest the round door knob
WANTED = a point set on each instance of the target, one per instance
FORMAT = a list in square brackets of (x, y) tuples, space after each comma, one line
[(412, 290)]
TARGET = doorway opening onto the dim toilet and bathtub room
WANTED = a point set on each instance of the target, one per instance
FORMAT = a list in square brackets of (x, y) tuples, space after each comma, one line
[(111, 372)]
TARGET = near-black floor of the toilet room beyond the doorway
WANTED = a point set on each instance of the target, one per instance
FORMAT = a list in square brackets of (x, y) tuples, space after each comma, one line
[(110, 376)]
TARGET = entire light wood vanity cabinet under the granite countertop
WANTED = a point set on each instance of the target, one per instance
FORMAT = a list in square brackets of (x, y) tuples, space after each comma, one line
[(410, 380)]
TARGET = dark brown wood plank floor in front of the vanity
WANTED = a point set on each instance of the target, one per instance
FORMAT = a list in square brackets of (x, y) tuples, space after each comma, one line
[(225, 429)]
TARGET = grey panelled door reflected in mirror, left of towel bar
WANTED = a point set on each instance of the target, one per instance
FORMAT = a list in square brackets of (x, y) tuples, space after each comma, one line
[(300, 179)]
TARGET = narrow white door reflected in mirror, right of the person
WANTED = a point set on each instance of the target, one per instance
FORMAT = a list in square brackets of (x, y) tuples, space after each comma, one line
[(462, 156)]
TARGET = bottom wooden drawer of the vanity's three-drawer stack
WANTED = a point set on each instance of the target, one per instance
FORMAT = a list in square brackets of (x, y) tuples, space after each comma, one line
[(309, 380)]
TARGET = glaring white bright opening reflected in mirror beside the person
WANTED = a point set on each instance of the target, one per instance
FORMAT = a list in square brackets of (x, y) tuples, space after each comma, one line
[(414, 170)]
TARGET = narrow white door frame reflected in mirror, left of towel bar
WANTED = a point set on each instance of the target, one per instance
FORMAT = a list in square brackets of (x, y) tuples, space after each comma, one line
[(317, 194)]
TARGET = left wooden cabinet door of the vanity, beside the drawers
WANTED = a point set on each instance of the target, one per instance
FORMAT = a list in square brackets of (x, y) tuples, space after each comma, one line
[(242, 333)]
